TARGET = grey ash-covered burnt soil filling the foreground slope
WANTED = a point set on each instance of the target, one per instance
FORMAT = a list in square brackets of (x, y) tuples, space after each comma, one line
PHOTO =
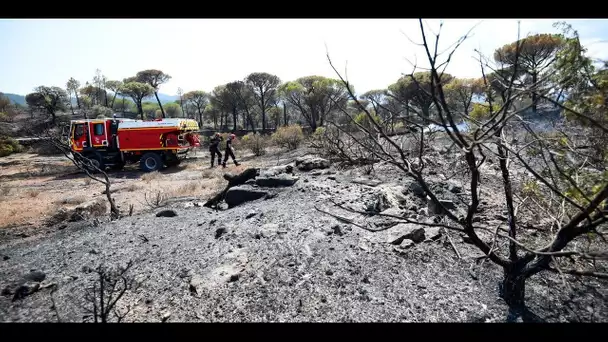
[(279, 259)]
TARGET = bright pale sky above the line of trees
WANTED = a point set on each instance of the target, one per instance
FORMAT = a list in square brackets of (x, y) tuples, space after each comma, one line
[(200, 54)]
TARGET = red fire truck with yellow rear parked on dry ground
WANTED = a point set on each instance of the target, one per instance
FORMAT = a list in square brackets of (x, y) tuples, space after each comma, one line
[(116, 142)]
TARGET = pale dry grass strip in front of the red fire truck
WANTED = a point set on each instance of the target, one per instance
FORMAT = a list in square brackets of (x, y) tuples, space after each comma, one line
[(54, 195)]
